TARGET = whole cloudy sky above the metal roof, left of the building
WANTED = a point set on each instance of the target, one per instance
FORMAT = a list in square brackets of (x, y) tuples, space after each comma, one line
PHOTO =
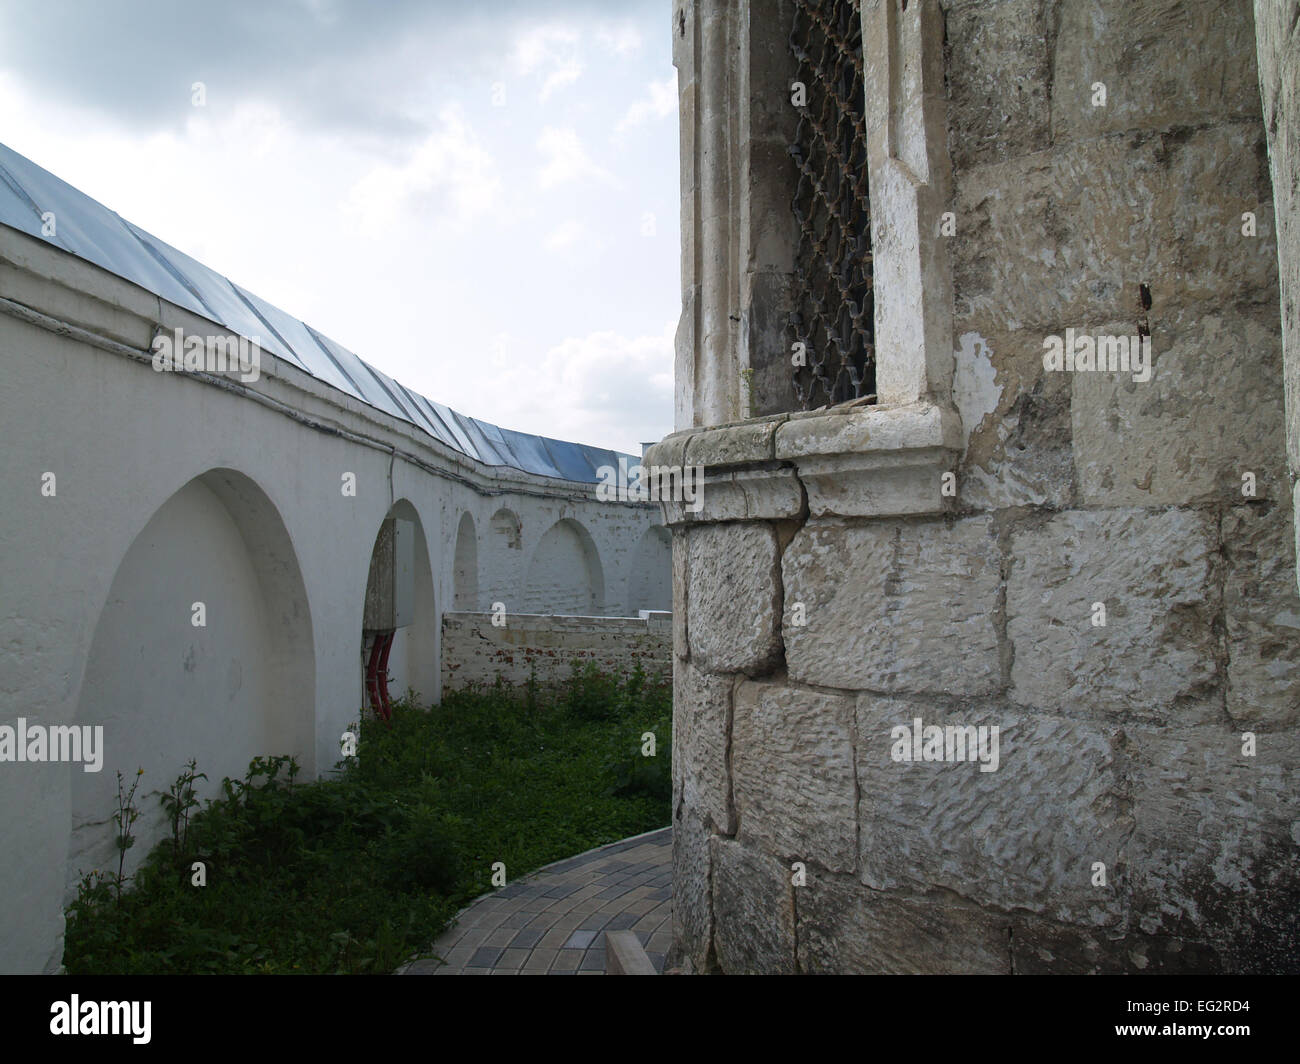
[(479, 197)]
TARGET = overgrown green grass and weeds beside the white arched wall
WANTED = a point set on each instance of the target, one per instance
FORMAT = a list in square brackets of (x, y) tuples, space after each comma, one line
[(358, 873)]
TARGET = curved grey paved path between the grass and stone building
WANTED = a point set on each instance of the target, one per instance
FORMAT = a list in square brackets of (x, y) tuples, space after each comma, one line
[(553, 923)]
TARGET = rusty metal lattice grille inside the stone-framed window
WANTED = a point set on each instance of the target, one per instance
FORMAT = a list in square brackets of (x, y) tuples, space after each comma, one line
[(834, 310)]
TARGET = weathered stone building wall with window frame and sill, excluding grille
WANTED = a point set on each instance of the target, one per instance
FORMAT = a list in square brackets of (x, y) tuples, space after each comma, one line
[(1123, 745)]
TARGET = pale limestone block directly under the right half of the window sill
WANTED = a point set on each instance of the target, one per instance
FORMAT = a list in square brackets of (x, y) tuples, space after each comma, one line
[(894, 607)]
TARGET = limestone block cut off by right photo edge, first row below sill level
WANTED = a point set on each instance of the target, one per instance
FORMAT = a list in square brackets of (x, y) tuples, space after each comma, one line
[(1262, 612)]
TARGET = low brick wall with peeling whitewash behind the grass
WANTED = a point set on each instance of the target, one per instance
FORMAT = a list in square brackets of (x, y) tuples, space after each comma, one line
[(478, 652)]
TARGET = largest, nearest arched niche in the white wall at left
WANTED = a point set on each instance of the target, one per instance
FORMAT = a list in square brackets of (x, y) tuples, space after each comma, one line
[(203, 650)]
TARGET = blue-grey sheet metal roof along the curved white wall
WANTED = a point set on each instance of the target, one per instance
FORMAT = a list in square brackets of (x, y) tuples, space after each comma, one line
[(92, 232)]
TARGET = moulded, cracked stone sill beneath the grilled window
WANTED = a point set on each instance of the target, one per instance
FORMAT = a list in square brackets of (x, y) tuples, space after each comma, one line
[(851, 461)]
